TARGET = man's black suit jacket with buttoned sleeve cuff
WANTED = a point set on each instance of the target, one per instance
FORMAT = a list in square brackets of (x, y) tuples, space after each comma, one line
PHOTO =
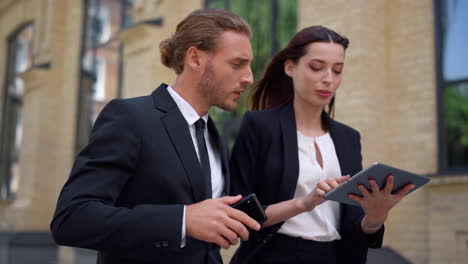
[(127, 188)]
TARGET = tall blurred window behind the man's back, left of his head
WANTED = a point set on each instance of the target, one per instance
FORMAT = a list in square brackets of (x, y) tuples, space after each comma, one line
[(101, 62)]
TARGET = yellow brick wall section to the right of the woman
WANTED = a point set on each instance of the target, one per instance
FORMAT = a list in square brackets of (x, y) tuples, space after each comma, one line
[(389, 95)]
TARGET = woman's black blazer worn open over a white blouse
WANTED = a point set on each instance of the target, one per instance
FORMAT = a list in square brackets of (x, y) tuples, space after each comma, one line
[(265, 161)]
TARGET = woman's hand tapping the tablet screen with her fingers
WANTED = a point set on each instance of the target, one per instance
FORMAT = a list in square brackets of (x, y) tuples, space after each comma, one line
[(315, 197)]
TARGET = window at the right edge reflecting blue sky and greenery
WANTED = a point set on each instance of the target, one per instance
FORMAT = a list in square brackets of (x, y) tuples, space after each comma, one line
[(452, 39)]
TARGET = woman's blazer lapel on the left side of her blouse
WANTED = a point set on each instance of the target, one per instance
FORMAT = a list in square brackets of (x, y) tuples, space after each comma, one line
[(291, 156)]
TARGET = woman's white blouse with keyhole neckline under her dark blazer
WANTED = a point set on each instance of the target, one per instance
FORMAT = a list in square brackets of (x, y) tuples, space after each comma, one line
[(322, 223)]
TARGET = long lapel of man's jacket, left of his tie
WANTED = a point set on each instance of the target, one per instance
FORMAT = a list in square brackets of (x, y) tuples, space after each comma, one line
[(178, 131)]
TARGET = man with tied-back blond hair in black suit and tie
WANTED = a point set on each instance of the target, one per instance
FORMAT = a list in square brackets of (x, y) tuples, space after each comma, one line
[(149, 186)]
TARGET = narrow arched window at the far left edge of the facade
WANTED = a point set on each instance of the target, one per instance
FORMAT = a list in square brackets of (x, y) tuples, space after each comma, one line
[(20, 59)]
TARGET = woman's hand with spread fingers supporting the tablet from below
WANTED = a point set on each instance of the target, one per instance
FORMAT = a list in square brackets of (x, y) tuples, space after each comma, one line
[(377, 203)]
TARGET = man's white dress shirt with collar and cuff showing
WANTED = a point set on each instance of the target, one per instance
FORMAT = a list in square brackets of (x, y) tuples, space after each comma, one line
[(191, 116)]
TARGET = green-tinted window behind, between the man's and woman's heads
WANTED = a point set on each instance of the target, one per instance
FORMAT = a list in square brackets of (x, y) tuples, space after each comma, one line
[(273, 24)]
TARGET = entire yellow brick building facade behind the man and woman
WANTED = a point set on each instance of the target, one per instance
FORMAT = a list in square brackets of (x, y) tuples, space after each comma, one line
[(388, 94)]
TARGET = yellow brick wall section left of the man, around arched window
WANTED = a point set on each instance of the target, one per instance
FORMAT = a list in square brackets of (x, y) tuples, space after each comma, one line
[(49, 107)]
